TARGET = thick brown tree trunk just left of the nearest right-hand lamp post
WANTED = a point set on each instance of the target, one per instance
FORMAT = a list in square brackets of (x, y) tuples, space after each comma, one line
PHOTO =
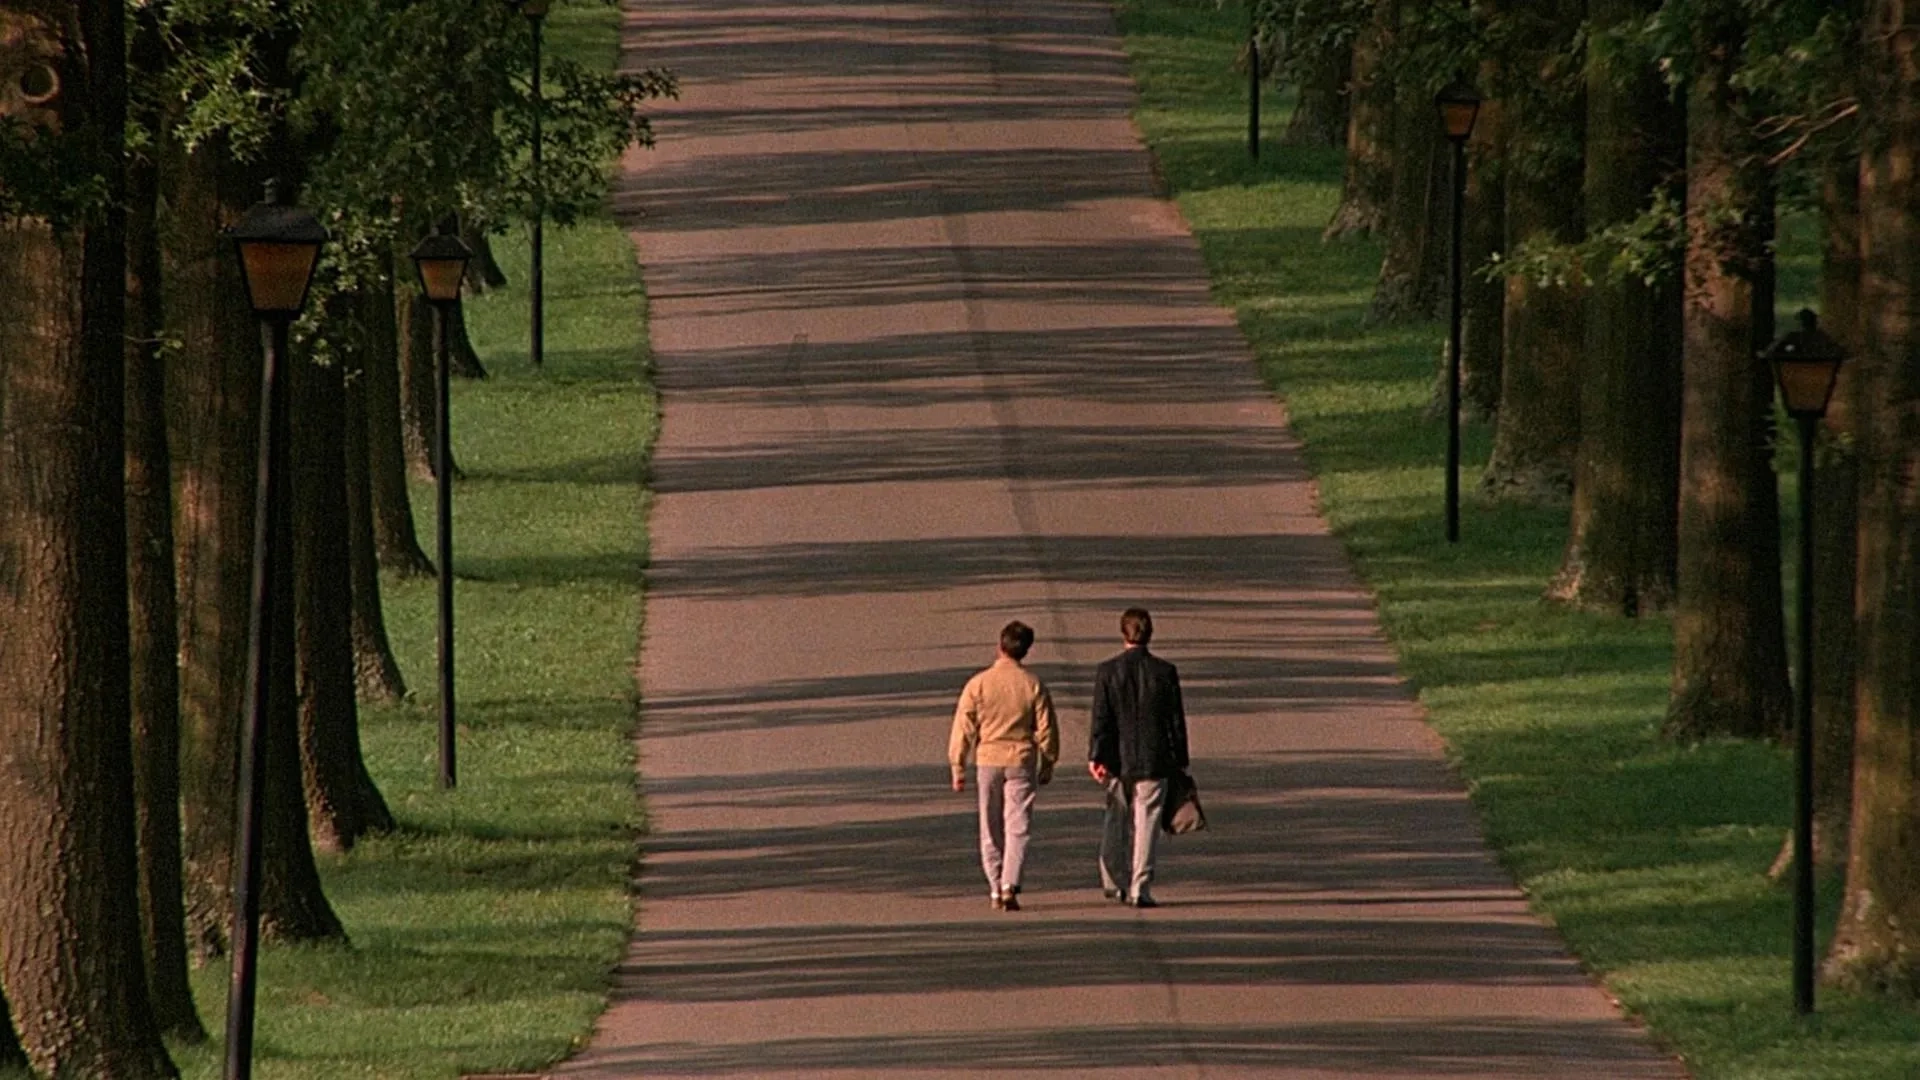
[(1731, 666)]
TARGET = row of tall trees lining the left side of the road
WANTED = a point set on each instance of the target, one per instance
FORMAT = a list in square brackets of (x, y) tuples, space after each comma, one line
[(132, 135)]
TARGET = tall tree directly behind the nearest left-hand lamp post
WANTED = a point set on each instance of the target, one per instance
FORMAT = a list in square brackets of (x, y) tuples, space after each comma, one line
[(212, 172)]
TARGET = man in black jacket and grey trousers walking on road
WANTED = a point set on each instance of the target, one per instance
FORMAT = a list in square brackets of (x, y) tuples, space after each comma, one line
[(1140, 739)]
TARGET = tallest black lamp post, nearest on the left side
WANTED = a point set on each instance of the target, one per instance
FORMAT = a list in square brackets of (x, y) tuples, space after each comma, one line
[(277, 247)]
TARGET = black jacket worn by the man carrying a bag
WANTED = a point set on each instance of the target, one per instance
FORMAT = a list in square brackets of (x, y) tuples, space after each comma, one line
[(1140, 724)]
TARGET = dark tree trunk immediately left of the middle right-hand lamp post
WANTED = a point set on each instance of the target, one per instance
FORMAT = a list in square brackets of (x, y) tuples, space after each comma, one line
[(1416, 262)]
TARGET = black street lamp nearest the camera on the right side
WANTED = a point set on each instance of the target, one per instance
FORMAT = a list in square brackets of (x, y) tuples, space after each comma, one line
[(1806, 366)]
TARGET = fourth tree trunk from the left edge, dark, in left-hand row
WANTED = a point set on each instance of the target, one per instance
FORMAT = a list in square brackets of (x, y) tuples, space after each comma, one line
[(343, 802)]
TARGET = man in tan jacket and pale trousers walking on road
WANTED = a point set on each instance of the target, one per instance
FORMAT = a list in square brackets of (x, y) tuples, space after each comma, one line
[(1005, 722)]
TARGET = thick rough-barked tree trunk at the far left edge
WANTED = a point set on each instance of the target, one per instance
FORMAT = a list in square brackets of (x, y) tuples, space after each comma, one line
[(70, 945)]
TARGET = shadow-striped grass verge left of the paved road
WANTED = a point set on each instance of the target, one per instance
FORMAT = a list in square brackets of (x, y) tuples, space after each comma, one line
[(485, 929)]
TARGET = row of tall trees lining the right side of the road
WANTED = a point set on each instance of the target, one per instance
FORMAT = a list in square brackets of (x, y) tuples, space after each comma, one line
[(1627, 180)]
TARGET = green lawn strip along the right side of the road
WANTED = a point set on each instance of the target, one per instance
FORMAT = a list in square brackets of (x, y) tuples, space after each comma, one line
[(1650, 858)]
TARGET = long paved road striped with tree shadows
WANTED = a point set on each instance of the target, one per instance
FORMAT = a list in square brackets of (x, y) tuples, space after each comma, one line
[(936, 358)]
